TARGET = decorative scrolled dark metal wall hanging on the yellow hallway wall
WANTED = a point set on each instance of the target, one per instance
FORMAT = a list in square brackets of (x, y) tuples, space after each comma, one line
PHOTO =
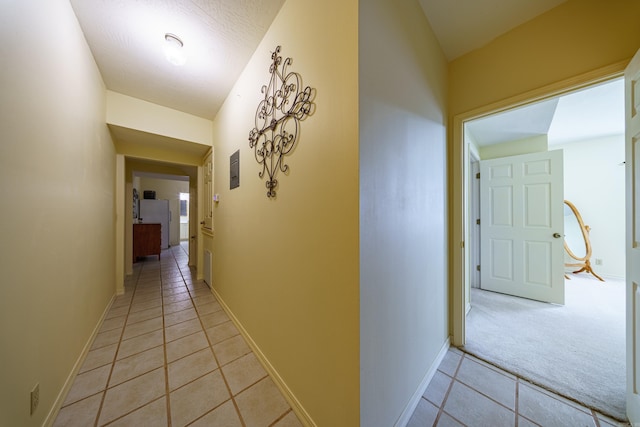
[(278, 118)]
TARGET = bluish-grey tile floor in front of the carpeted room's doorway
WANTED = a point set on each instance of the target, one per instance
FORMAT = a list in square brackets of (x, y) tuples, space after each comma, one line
[(466, 391)]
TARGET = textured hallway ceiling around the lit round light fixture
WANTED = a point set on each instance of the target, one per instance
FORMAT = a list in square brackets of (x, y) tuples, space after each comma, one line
[(126, 38)]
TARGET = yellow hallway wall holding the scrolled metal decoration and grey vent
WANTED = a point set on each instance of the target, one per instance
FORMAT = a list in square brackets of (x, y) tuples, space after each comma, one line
[(288, 268)]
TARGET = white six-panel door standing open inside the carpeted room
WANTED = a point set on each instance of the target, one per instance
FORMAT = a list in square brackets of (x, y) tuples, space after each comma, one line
[(522, 226)]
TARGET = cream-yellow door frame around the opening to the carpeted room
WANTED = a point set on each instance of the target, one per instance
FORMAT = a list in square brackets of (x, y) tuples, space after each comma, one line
[(459, 177)]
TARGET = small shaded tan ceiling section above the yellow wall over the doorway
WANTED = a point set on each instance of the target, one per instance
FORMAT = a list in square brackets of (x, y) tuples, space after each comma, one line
[(464, 25)]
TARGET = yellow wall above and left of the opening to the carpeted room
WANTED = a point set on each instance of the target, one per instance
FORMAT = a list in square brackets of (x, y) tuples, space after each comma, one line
[(576, 43)]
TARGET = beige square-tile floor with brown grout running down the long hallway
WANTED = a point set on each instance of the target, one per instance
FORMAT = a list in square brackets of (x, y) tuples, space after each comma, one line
[(168, 355)]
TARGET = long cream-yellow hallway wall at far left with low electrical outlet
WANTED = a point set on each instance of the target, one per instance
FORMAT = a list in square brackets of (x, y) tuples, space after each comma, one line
[(57, 168)]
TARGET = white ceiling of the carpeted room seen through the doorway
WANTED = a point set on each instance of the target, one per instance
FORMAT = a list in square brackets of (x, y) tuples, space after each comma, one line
[(586, 114)]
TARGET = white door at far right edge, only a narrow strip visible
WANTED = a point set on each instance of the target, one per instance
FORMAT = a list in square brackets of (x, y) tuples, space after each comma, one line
[(632, 162)]
